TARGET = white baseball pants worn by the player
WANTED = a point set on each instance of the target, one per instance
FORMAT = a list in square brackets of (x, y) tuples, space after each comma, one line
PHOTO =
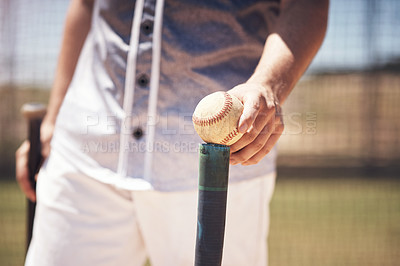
[(81, 221)]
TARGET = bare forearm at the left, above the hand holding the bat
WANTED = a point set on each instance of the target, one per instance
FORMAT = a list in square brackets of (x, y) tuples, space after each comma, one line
[(77, 26)]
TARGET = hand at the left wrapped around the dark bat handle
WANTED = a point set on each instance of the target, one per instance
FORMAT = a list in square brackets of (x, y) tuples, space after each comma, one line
[(21, 159)]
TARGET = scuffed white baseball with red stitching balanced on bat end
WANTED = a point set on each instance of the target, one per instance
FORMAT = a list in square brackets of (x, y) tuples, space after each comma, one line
[(216, 118)]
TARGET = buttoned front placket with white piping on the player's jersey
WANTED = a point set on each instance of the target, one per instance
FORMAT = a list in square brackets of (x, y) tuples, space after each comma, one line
[(134, 134)]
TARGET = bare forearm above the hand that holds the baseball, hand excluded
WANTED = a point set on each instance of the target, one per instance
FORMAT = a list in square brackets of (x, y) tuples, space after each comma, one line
[(294, 41)]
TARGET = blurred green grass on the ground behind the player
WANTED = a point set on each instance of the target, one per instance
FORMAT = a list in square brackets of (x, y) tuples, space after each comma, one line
[(314, 221)]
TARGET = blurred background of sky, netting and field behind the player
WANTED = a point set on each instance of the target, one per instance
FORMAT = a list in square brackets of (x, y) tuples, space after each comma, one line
[(337, 198)]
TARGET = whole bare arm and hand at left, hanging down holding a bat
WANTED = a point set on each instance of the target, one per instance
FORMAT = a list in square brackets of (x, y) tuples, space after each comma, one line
[(77, 26)]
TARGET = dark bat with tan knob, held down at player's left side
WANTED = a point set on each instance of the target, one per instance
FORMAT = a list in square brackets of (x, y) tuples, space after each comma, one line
[(34, 113)]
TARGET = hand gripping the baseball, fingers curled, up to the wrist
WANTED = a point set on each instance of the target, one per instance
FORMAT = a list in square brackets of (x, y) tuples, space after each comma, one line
[(261, 123)]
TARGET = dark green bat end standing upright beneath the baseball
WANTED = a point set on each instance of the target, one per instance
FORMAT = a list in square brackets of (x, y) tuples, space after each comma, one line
[(211, 212)]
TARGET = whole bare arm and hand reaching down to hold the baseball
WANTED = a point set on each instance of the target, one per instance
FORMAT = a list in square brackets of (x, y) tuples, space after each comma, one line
[(292, 43)]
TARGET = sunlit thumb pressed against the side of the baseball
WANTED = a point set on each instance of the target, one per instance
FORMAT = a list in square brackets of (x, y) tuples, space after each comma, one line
[(251, 104)]
